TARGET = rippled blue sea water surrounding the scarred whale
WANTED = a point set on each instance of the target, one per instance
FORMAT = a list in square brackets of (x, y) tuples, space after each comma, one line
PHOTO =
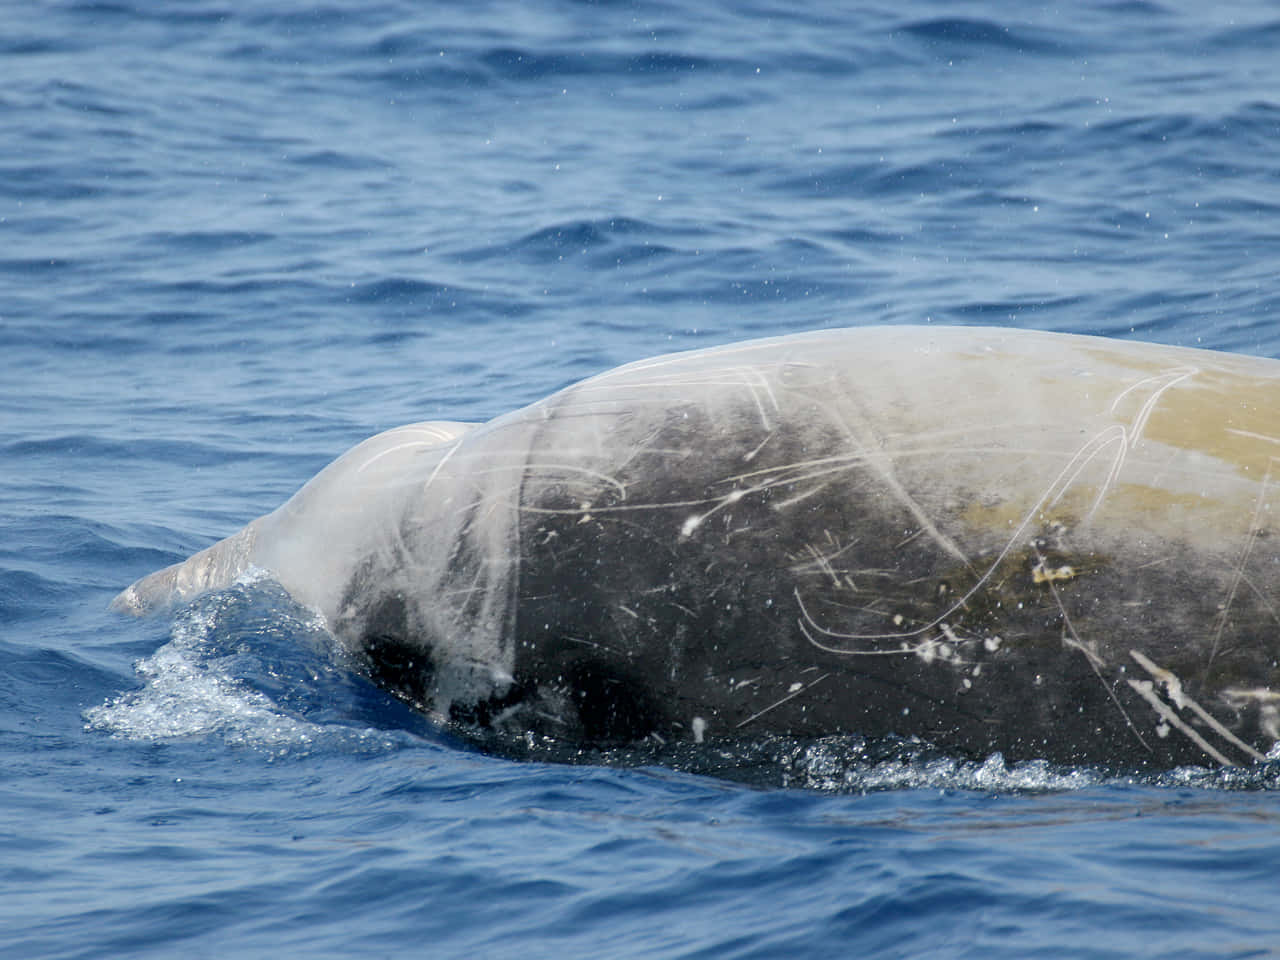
[(237, 239)]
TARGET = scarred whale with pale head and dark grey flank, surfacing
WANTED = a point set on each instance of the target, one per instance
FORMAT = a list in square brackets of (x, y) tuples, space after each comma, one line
[(1049, 546)]
